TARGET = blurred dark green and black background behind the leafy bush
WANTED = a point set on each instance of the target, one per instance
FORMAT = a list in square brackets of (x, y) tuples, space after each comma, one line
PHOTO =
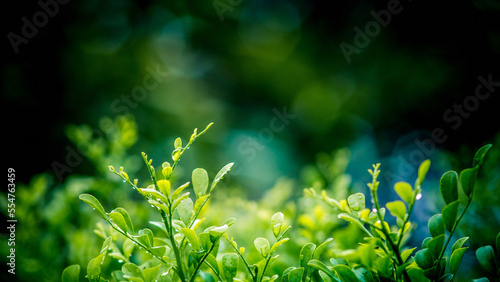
[(271, 75)]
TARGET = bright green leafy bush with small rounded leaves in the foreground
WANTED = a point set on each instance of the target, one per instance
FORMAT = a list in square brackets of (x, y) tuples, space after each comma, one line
[(183, 245)]
